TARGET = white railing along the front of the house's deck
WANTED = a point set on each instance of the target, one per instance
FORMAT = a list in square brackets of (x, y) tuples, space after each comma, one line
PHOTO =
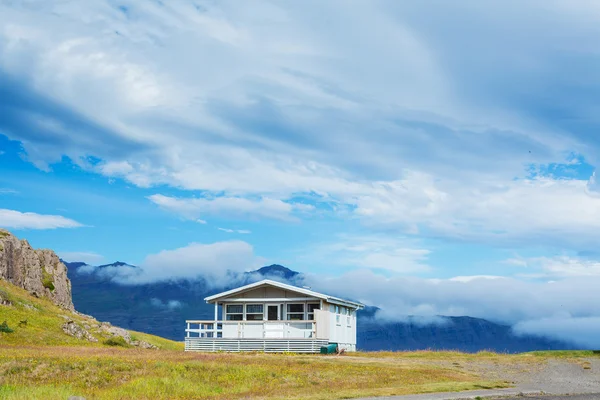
[(252, 329)]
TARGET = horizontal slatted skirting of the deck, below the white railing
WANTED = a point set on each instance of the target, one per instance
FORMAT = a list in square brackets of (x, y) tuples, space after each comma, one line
[(266, 345)]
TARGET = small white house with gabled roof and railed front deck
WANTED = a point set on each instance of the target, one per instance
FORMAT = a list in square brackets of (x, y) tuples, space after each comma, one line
[(274, 317)]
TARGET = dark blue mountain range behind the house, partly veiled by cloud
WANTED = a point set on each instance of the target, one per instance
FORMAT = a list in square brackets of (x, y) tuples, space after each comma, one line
[(161, 308)]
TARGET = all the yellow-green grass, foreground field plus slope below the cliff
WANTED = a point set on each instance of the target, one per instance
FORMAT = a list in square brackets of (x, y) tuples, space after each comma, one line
[(39, 361)]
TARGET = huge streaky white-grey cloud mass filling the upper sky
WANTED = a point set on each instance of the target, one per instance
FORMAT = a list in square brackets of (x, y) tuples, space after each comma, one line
[(428, 142)]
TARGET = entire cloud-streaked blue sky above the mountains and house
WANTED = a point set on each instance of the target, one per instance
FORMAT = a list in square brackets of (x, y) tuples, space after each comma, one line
[(436, 141)]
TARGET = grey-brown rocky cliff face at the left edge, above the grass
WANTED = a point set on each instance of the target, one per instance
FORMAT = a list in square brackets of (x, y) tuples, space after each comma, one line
[(40, 272)]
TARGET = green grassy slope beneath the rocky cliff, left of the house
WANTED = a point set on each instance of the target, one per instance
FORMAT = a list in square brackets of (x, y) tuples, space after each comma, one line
[(45, 320)]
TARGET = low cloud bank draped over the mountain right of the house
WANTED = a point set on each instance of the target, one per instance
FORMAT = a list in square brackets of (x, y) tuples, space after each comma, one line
[(563, 309)]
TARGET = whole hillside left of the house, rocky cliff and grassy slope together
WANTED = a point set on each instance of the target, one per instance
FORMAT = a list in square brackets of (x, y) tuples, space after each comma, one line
[(36, 306)]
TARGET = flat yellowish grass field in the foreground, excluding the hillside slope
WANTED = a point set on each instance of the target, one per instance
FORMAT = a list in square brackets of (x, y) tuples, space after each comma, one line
[(111, 373)]
